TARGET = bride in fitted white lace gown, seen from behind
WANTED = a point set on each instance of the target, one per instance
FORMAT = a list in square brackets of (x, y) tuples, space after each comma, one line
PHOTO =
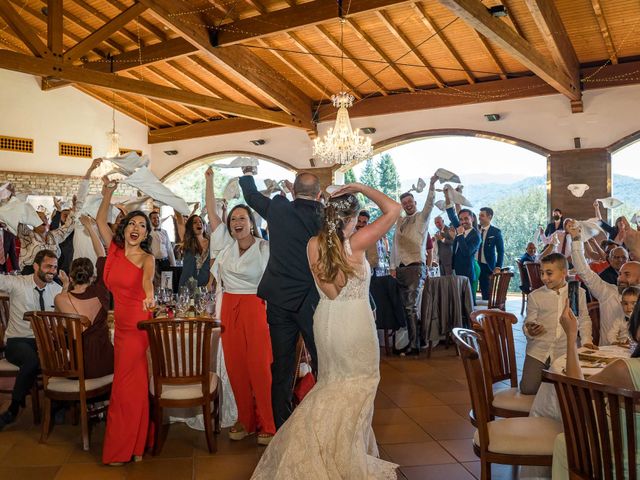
[(329, 435)]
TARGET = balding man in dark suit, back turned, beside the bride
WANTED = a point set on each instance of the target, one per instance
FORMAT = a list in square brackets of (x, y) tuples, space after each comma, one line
[(287, 284)]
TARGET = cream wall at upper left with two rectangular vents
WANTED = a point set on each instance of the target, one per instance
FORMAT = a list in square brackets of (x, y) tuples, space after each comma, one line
[(66, 115)]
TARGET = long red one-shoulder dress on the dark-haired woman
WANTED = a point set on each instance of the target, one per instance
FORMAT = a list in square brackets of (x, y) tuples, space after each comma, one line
[(128, 417)]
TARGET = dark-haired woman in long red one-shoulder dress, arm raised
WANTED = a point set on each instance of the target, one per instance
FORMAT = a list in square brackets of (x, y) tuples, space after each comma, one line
[(128, 273)]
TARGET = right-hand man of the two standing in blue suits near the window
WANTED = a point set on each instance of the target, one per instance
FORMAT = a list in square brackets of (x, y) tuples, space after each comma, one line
[(491, 251)]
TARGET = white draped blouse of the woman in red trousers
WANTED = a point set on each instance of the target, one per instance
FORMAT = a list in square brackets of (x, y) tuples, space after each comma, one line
[(239, 274)]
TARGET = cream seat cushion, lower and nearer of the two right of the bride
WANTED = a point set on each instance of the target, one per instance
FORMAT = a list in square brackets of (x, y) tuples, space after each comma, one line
[(522, 435)]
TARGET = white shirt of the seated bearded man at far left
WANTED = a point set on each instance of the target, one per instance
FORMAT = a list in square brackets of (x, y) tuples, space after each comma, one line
[(24, 298)]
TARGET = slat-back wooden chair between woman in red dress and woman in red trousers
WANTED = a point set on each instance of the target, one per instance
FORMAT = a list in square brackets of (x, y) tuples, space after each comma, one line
[(182, 350)]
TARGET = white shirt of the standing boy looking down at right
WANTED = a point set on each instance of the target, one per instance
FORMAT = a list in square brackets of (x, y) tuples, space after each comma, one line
[(545, 306)]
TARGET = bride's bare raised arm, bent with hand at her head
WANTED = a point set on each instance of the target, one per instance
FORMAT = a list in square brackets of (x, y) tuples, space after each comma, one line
[(370, 234)]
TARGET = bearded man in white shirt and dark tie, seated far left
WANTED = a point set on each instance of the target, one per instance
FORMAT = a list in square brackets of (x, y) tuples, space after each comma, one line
[(34, 292)]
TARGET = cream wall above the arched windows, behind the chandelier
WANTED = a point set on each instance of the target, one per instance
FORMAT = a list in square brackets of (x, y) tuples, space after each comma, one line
[(610, 114)]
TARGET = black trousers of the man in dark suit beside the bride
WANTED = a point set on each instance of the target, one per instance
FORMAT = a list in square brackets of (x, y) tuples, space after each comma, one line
[(284, 327)]
